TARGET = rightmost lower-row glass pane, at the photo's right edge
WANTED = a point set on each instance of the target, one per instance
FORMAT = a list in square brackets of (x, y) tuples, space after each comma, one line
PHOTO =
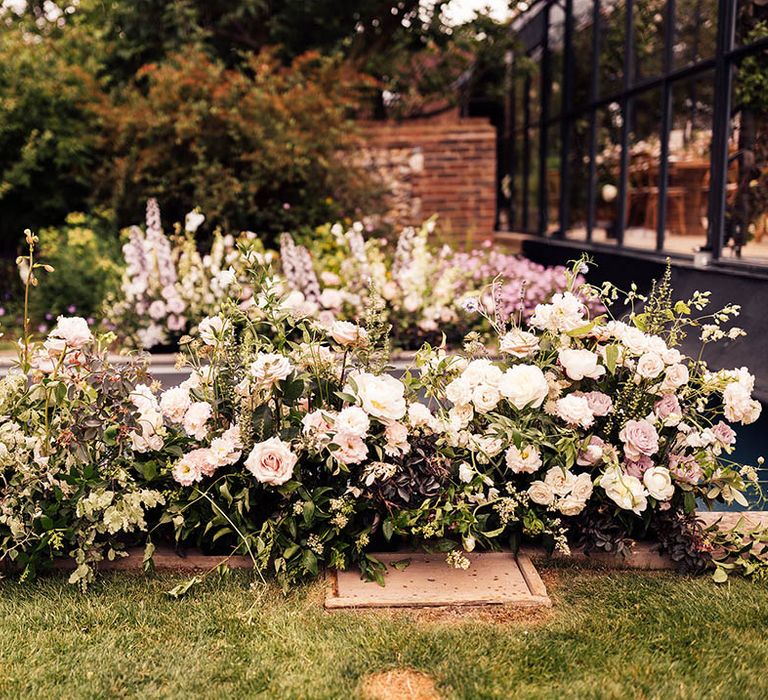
[(746, 233)]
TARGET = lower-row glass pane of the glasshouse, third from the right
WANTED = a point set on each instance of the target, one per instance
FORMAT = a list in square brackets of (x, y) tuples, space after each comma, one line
[(643, 174)]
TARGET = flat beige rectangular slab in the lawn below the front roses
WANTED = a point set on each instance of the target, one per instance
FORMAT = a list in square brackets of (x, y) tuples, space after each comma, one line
[(424, 580)]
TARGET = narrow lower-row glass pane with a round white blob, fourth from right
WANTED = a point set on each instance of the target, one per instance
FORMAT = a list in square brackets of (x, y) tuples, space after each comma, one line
[(607, 161)]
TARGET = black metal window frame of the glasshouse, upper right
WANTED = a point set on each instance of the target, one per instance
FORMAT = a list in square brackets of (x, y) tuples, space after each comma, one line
[(722, 64)]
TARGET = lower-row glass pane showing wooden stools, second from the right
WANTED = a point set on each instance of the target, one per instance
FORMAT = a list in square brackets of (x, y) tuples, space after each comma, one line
[(690, 138)]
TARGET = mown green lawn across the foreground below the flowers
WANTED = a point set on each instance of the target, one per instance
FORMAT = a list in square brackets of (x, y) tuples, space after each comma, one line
[(614, 635)]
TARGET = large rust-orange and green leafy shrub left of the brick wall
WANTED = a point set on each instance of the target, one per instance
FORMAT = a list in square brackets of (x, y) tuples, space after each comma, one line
[(259, 148)]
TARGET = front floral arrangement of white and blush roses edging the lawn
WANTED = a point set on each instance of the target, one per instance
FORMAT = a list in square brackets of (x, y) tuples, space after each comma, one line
[(292, 444)]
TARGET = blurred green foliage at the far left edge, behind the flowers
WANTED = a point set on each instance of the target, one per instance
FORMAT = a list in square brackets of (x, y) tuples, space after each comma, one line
[(47, 131)]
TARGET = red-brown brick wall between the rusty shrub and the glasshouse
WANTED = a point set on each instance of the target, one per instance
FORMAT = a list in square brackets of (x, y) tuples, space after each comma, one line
[(445, 167)]
